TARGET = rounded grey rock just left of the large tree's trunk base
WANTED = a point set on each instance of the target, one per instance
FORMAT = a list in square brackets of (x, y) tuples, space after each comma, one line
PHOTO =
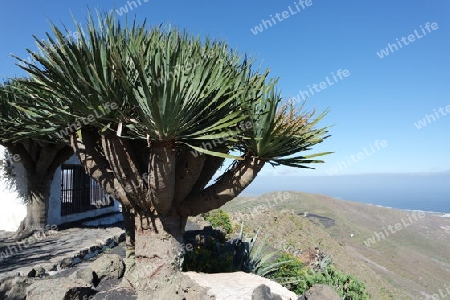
[(108, 266)]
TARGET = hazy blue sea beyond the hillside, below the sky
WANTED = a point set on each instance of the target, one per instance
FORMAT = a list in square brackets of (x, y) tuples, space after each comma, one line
[(417, 191)]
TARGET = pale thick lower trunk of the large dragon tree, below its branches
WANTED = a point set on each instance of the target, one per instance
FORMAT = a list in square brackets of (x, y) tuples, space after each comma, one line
[(158, 250)]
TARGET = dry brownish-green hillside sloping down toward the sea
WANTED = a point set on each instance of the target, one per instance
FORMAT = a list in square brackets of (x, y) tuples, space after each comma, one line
[(398, 254)]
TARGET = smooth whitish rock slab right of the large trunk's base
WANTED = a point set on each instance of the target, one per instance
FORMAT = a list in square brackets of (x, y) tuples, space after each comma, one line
[(237, 285)]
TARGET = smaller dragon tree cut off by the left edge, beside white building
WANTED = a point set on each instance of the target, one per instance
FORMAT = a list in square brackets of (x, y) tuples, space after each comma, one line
[(38, 152)]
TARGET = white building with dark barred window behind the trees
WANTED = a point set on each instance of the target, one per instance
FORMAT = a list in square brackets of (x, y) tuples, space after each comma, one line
[(74, 196)]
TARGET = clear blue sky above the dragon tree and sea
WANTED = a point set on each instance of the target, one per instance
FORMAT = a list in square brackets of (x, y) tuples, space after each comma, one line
[(379, 100)]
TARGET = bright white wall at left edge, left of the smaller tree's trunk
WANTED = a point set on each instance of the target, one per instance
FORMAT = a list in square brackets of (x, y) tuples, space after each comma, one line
[(12, 209)]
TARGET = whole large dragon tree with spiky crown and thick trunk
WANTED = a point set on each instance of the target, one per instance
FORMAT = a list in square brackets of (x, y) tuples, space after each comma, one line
[(184, 104)]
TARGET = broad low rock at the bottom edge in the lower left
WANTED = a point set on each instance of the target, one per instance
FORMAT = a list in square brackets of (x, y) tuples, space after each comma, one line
[(59, 289)]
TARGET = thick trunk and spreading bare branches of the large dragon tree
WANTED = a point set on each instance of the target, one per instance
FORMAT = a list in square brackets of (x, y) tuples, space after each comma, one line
[(156, 204)]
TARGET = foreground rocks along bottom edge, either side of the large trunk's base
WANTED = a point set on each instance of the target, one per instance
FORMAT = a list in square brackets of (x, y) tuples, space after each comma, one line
[(101, 277)]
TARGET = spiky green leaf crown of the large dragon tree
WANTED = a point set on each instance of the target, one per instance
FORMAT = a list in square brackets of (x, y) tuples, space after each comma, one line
[(168, 86)]
